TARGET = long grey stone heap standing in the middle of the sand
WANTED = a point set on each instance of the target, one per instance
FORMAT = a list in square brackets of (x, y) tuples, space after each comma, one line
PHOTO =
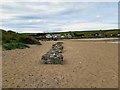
[(54, 55)]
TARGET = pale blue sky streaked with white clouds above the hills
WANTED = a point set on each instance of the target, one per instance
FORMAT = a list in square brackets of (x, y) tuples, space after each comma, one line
[(38, 17)]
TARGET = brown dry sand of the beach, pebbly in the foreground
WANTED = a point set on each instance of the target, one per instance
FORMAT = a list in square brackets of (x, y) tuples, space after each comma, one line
[(86, 65)]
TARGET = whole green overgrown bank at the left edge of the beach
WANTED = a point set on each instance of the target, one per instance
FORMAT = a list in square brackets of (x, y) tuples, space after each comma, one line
[(12, 40)]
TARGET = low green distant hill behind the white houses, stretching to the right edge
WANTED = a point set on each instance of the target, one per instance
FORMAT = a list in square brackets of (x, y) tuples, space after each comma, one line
[(112, 33)]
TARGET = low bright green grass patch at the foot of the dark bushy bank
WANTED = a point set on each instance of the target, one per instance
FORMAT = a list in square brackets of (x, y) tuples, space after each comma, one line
[(10, 46)]
